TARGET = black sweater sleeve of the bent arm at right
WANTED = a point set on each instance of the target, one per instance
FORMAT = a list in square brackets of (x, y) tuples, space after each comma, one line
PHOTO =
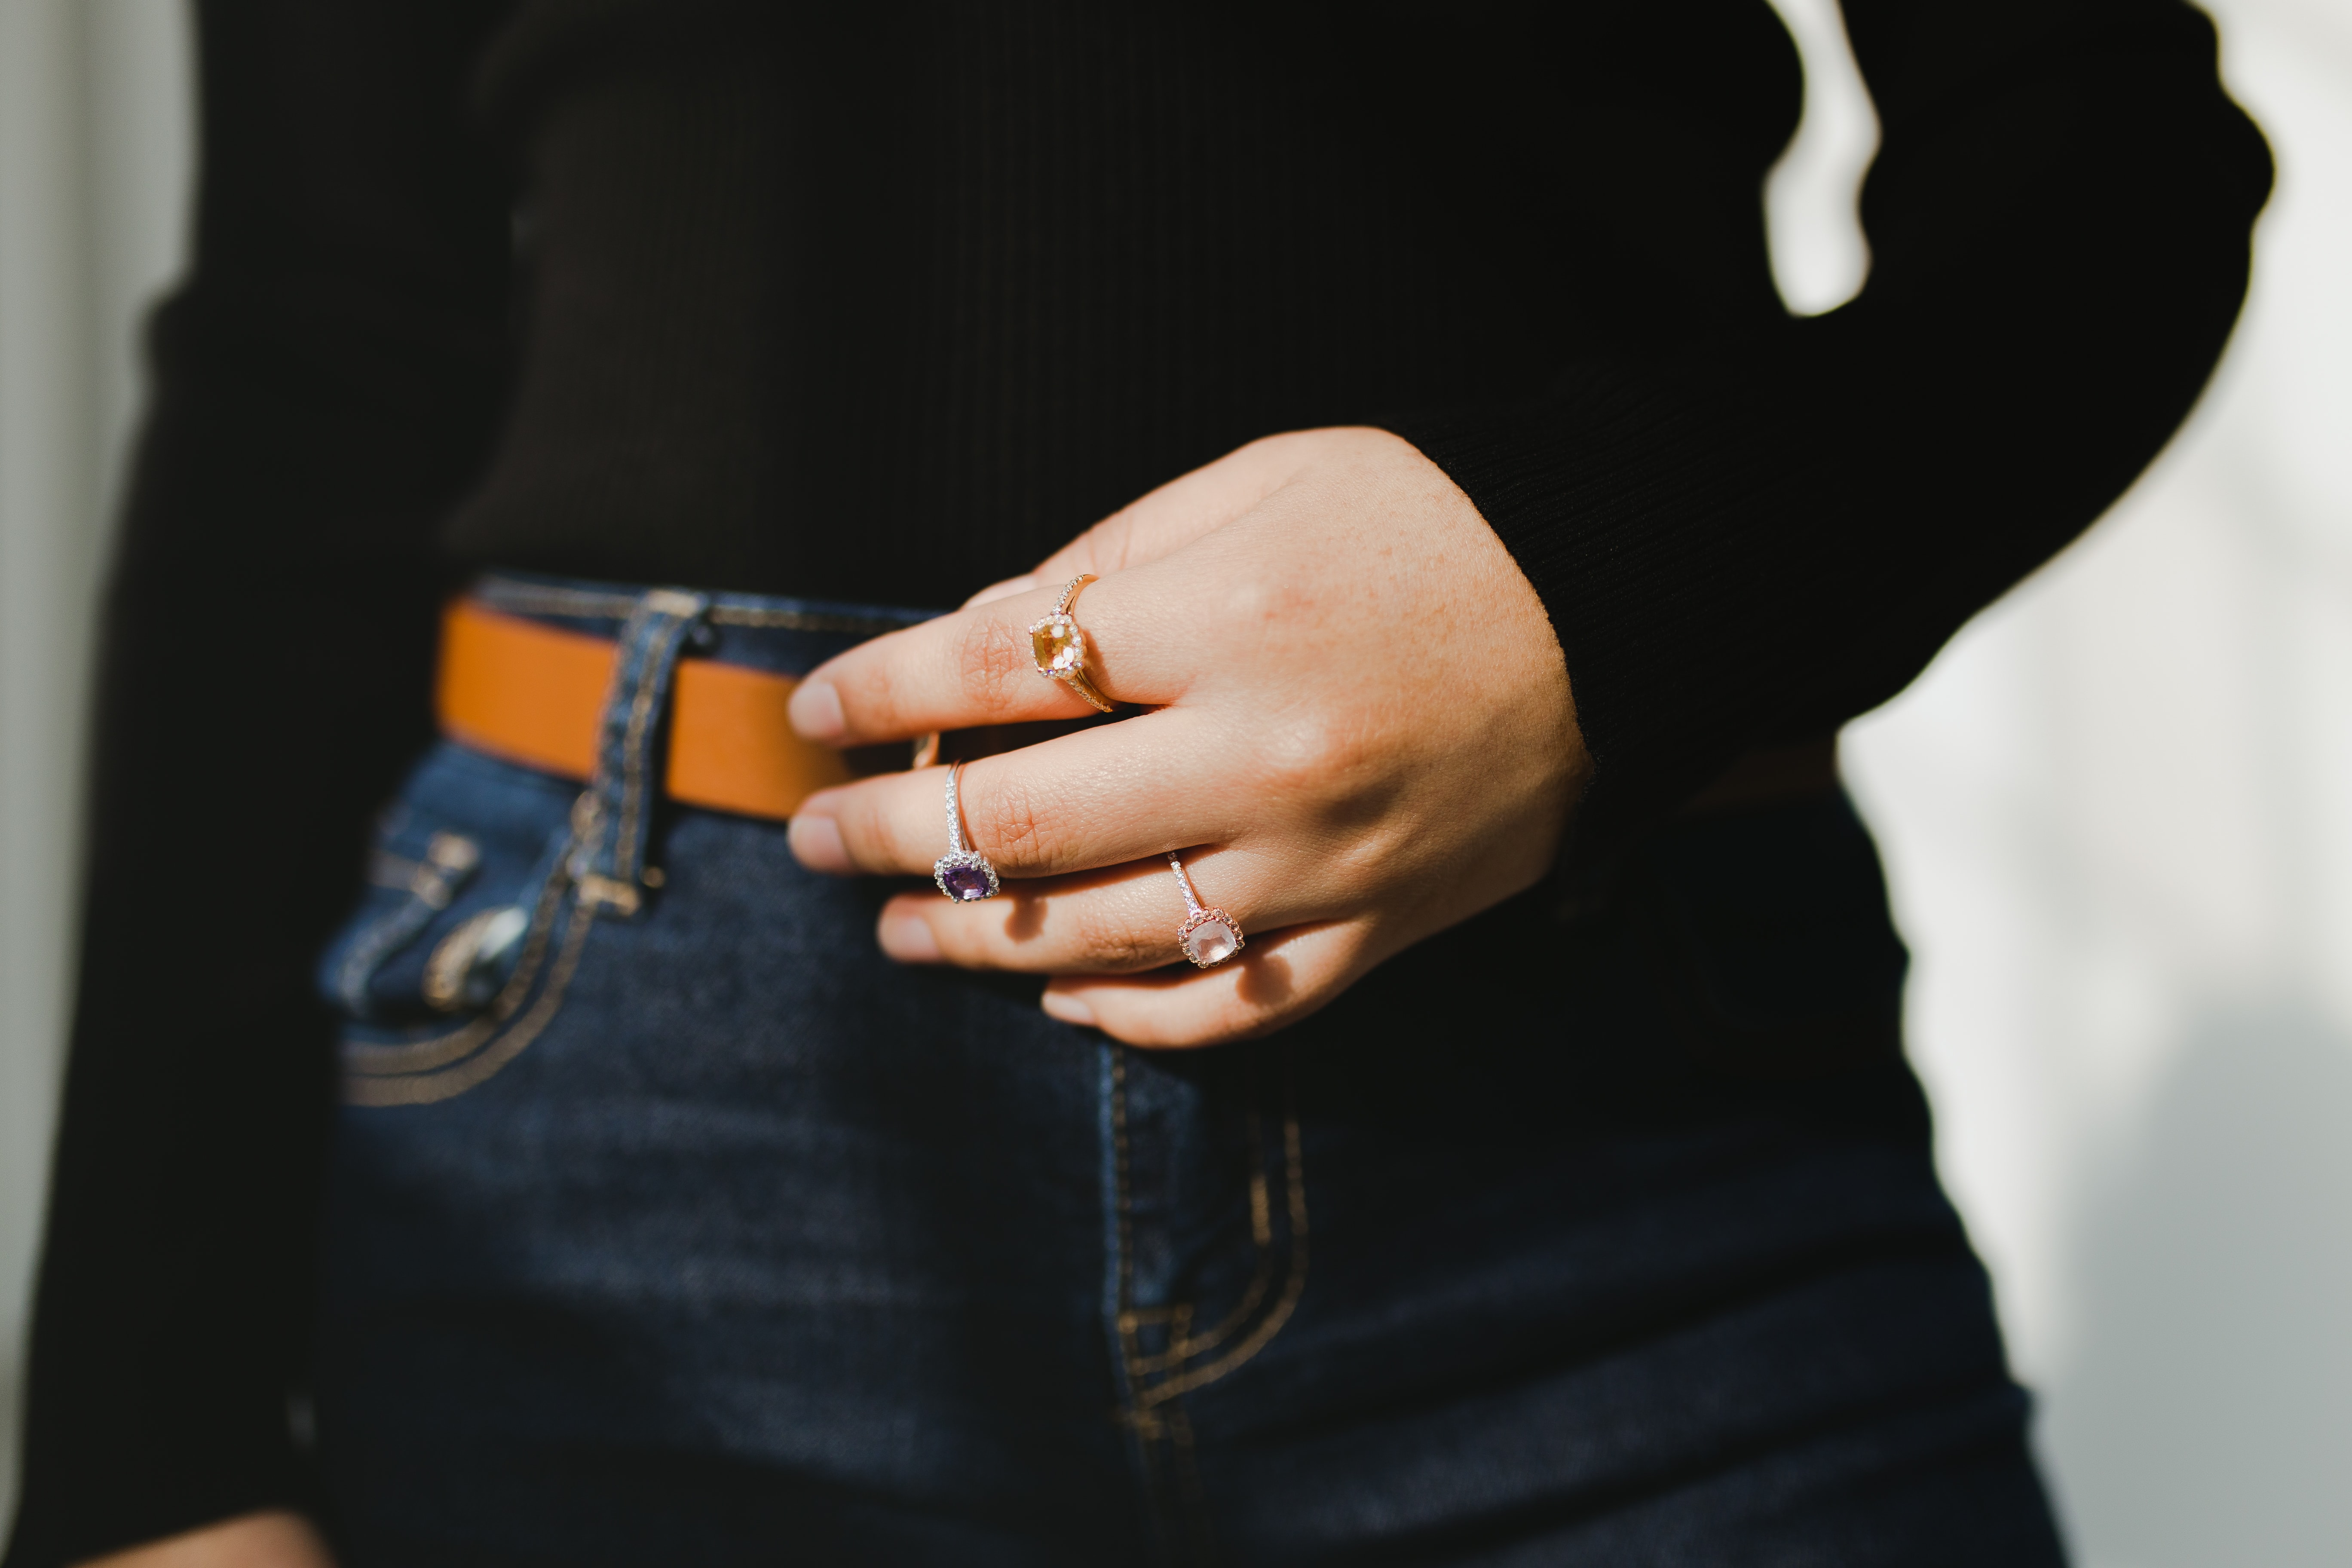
[(1756, 542)]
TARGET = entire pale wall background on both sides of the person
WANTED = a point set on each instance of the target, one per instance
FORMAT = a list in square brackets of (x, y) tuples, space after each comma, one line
[(2118, 810)]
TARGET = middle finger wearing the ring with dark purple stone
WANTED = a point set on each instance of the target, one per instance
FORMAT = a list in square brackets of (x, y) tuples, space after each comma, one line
[(1069, 805)]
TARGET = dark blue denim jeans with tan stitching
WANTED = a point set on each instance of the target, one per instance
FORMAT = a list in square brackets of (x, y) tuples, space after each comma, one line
[(671, 1224)]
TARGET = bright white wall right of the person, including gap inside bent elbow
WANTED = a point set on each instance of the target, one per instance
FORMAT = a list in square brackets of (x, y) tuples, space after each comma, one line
[(2118, 815)]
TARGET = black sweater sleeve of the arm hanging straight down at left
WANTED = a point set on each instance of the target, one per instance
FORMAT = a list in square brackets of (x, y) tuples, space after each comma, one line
[(323, 384)]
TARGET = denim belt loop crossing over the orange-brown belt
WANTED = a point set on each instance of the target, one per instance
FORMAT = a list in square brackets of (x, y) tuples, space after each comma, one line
[(613, 817)]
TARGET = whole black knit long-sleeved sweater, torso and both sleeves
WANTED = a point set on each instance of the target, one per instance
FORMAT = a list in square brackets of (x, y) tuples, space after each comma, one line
[(888, 302)]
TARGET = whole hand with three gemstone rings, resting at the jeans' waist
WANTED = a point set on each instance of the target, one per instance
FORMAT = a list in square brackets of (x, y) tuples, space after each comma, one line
[(1361, 735)]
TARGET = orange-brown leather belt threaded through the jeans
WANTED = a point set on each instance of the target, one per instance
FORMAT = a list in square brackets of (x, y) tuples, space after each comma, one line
[(533, 695)]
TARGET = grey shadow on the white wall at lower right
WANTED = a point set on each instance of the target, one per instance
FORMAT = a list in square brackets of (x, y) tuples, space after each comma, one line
[(2207, 1416)]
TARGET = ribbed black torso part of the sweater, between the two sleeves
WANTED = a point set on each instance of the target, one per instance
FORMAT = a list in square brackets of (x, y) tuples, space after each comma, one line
[(888, 309)]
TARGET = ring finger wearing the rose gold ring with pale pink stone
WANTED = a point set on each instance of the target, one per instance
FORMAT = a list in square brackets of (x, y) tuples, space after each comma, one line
[(1114, 920)]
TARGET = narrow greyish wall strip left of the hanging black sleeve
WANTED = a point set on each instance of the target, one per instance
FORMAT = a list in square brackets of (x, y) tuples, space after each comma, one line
[(93, 189)]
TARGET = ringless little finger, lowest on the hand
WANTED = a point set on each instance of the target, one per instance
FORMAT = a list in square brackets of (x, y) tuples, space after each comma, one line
[(1274, 981)]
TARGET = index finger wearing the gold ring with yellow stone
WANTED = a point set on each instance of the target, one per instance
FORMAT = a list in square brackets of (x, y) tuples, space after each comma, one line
[(980, 666)]
